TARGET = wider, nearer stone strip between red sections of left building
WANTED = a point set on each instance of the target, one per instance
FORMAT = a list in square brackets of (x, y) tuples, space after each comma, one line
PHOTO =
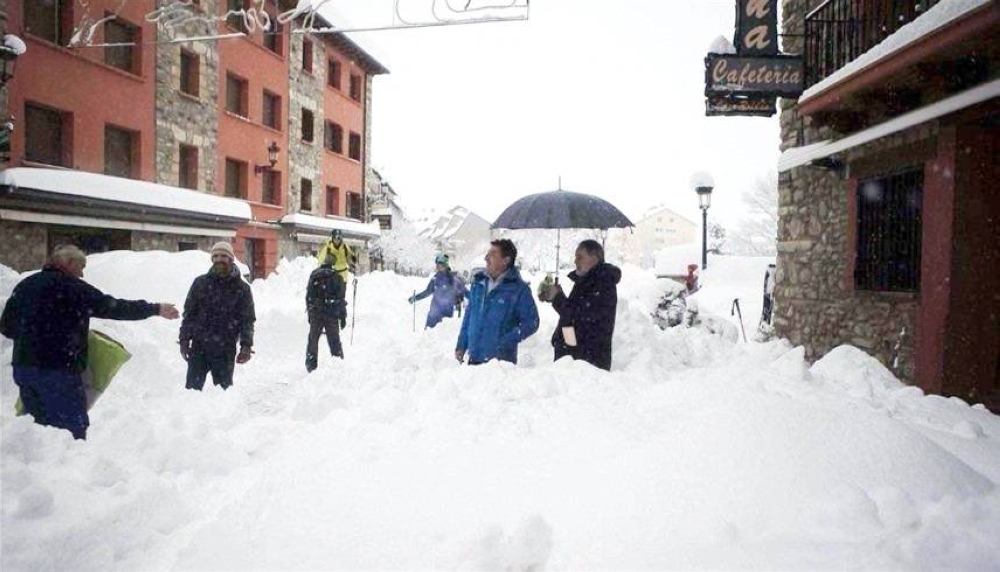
[(182, 118)]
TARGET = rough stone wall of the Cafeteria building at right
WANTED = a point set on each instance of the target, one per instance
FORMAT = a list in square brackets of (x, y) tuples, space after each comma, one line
[(816, 305)]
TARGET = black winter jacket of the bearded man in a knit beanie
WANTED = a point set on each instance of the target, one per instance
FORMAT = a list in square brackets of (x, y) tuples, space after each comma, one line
[(218, 312)]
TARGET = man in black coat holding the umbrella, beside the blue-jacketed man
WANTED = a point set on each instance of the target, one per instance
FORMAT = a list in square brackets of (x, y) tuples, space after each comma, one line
[(587, 315)]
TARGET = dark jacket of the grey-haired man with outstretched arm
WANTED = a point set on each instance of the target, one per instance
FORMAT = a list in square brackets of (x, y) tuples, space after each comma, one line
[(48, 317)]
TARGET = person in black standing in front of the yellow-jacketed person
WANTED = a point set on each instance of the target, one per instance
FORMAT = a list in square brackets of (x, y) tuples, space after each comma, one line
[(327, 311)]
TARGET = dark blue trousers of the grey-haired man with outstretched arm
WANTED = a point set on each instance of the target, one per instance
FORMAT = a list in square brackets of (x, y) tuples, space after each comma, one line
[(54, 397)]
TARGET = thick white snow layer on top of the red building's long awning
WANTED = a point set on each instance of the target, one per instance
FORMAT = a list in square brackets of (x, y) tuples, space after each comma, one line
[(108, 188)]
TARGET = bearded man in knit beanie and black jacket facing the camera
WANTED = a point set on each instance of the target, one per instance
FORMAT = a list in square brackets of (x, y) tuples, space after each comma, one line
[(218, 312)]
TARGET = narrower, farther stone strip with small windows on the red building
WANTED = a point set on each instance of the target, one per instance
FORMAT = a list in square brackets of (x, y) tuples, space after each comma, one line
[(305, 90)]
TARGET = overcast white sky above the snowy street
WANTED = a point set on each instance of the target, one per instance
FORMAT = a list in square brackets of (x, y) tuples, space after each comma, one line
[(607, 94)]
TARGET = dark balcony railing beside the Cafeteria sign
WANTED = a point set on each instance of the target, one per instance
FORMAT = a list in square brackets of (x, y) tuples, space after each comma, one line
[(839, 31)]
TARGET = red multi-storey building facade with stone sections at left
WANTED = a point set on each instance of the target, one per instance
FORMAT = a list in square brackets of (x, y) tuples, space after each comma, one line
[(209, 116)]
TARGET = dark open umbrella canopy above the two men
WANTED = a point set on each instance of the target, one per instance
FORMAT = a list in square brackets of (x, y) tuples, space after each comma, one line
[(561, 209)]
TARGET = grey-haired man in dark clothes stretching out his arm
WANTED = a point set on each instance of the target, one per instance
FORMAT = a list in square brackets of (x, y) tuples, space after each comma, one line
[(48, 317)]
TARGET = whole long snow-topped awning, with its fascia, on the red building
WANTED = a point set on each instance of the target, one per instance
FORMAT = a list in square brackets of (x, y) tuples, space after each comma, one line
[(64, 191)]
